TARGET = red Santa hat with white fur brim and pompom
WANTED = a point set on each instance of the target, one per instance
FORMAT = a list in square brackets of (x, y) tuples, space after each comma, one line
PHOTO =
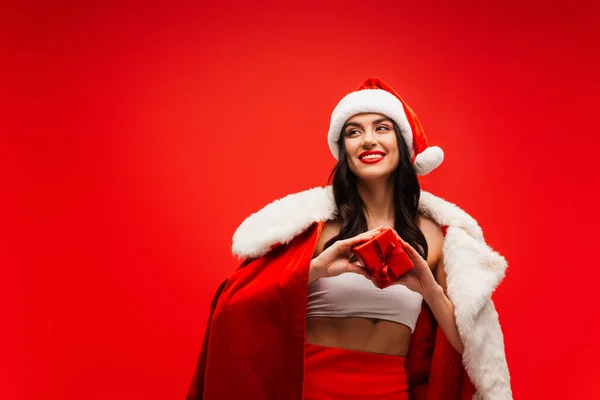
[(376, 96)]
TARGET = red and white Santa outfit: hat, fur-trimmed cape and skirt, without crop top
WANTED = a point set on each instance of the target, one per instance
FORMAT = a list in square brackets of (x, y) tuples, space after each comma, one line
[(255, 340)]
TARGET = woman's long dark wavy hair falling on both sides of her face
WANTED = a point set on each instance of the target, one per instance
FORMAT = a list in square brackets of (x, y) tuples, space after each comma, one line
[(351, 208)]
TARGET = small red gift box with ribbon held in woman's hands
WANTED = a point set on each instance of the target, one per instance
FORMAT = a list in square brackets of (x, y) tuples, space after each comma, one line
[(384, 258)]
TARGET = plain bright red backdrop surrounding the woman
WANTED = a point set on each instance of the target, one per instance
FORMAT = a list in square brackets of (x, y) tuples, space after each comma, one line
[(135, 139)]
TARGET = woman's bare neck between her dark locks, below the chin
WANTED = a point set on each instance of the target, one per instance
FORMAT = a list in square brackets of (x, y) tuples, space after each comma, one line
[(378, 197)]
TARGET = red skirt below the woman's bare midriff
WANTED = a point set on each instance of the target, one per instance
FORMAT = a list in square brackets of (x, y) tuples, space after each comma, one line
[(333, 373)]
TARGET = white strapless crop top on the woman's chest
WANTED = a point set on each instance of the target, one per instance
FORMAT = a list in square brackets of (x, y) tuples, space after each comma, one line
[(353, 295)]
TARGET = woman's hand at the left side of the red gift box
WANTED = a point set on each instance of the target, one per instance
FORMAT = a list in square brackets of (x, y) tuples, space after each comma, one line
[(335, 259)]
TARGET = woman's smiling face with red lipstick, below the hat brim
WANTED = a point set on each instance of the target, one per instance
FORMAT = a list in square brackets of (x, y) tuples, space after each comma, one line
[(371, 146)]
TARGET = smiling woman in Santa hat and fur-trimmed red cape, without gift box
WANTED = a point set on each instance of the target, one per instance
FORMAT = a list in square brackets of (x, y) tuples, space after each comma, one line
[(300, 320)]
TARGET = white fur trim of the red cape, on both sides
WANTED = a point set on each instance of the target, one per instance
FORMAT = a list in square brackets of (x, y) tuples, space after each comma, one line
[(473, 270)]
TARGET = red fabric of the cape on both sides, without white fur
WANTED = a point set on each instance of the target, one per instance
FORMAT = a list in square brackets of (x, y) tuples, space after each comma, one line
[(254, 342)]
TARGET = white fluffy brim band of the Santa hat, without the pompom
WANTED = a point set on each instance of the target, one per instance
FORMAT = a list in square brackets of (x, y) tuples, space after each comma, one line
[(363, 101)]
